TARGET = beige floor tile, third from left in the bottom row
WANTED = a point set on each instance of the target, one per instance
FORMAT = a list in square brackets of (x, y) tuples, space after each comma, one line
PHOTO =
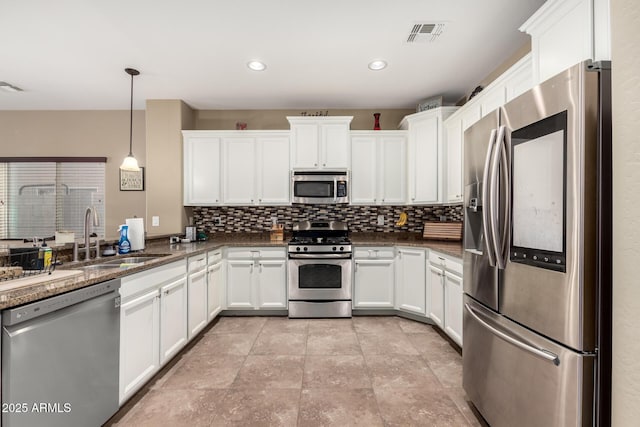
[(331, 407)]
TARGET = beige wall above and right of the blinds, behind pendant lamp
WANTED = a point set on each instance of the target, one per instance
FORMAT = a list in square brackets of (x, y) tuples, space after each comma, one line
[(81, 134)]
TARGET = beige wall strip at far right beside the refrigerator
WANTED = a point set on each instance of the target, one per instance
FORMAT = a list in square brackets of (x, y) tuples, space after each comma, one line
[(625, 16)]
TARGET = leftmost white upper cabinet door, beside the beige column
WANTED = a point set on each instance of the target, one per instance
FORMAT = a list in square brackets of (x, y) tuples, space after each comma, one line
[(201, 167)]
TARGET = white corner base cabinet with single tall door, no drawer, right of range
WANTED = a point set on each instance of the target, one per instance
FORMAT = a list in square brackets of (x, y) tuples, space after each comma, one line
[(411, 281)]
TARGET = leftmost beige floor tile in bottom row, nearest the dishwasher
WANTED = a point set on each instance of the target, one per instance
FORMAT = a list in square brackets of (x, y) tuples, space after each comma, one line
[(174, 408)]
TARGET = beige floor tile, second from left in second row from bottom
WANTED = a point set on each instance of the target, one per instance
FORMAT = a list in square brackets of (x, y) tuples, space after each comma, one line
[(269, 372)]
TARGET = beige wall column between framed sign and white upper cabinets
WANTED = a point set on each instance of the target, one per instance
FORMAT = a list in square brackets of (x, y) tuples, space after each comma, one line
[(165, 120)]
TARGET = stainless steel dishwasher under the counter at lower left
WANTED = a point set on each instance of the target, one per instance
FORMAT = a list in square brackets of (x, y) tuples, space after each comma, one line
[(60, 359)]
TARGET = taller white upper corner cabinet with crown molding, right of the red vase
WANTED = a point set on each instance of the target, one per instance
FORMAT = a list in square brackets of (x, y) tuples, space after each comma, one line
[(425, 164)]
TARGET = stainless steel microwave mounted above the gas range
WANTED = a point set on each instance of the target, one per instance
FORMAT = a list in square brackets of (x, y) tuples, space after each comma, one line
[(320, 187)]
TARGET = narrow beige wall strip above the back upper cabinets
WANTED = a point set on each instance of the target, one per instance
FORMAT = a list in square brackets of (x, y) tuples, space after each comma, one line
[(277, 119)]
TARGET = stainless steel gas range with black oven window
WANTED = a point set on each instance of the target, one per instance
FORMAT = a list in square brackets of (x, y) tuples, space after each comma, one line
[(320, 268)]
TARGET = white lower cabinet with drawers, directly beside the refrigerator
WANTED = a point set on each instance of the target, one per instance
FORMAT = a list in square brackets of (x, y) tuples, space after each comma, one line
[(445, 290)]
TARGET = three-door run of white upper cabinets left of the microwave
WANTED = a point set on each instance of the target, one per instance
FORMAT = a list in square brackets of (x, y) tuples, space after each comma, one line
[(236, 168)]
